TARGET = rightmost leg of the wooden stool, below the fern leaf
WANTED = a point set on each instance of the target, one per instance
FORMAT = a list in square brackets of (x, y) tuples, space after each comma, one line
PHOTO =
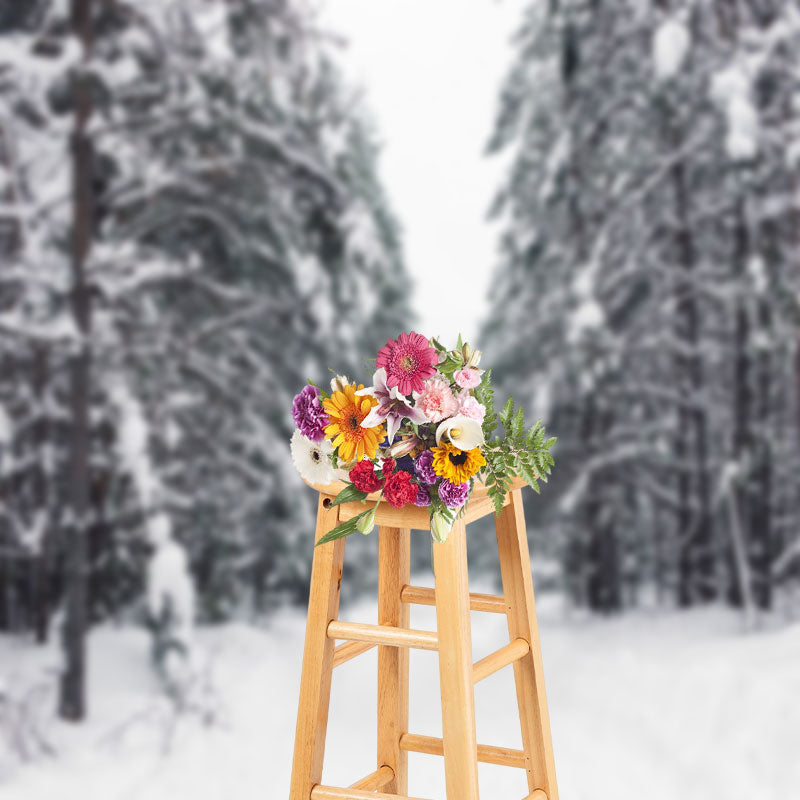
[(512, 542)]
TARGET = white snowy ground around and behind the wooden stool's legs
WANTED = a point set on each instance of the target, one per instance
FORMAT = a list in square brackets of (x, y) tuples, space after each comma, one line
[(648, 707)]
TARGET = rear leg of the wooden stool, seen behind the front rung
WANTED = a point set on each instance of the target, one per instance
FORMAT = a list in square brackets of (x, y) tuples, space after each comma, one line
[(393, 573)]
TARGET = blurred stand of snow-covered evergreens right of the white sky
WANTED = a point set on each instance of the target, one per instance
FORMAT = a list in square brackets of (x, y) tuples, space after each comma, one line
[(641, 297)]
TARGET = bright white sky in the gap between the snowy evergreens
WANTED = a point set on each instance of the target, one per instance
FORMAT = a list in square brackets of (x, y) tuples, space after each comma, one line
[(431, 72)]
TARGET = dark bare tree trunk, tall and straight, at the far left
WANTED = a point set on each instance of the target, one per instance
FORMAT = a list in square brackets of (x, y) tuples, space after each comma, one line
[(72, 700)]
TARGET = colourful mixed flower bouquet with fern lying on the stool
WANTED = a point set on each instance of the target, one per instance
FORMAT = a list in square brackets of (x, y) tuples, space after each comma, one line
[(422, 434)]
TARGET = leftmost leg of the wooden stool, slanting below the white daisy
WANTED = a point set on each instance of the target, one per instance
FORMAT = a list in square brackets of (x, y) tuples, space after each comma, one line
[(315, 680)]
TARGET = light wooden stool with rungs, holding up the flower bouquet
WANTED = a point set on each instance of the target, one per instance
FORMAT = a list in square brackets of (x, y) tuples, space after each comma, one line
[(453, 640)]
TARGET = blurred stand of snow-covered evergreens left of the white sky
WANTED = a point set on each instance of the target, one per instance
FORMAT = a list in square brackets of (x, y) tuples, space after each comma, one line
[(240, 243)]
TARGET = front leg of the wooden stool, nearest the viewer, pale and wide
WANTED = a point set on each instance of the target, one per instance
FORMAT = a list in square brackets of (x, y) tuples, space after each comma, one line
[(455, 665)]
